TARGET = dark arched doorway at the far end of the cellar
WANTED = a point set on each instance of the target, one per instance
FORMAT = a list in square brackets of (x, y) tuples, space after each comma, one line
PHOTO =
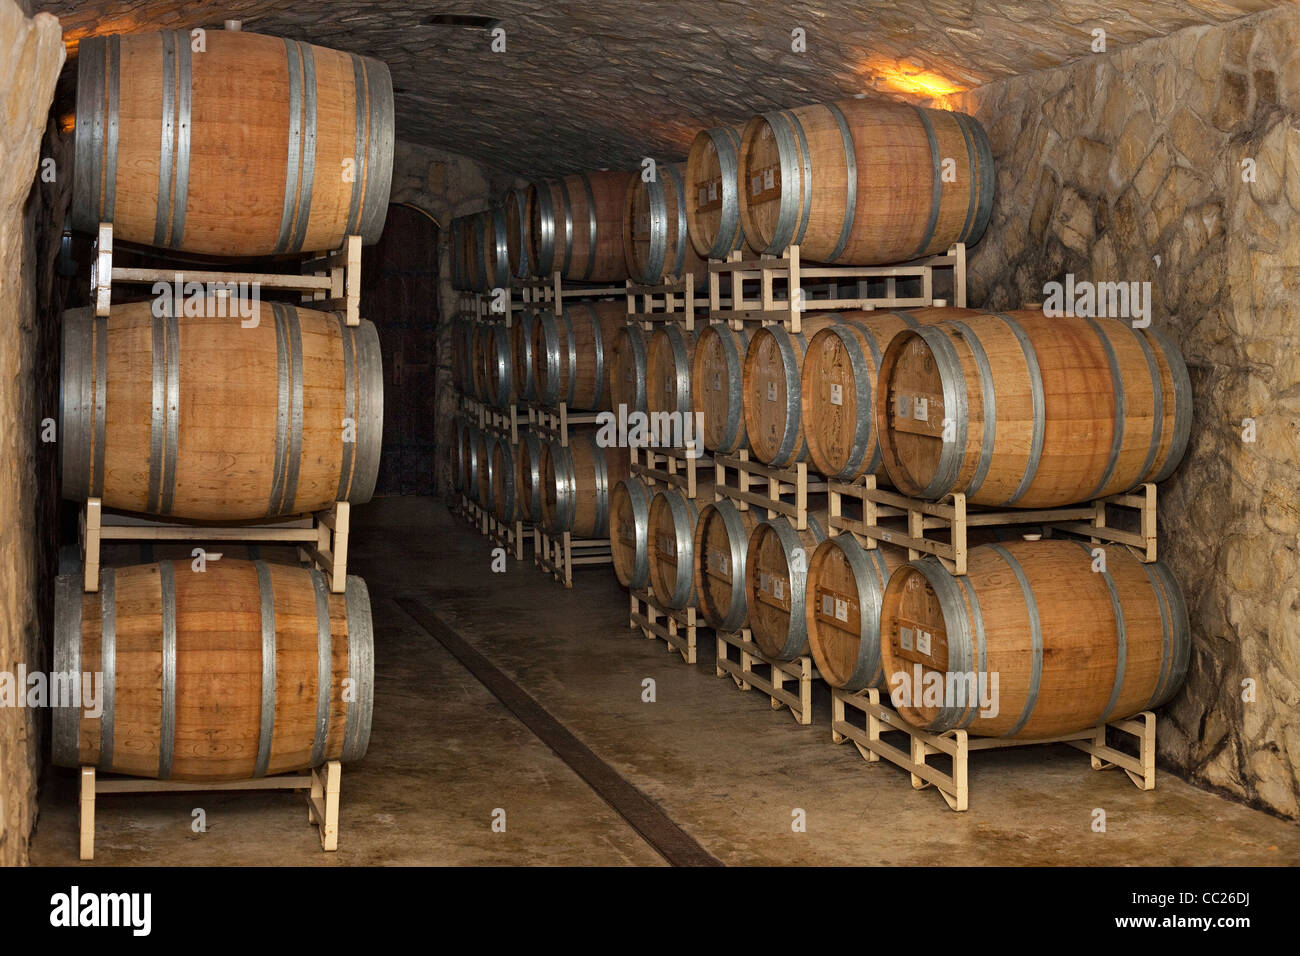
[(400, 295)]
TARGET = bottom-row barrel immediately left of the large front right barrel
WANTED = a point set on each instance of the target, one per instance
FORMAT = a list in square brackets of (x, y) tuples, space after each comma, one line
[(846, 587)]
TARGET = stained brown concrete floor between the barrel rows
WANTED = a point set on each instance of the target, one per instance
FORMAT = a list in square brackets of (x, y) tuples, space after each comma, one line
[(445, 754)]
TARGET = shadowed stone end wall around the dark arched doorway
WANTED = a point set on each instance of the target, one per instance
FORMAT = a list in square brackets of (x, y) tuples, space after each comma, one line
[(445, 185)]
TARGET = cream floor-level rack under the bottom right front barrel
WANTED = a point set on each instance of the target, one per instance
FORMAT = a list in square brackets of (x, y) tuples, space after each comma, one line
[(876, 719)]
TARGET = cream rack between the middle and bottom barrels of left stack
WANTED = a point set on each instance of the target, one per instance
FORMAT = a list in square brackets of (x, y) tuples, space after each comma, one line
[(322, 538)]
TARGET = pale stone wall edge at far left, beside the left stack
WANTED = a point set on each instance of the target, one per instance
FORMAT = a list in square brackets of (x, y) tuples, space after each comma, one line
[(33, 54)]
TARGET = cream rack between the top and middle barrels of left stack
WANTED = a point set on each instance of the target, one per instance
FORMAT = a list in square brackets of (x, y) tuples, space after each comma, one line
[(331, 282)]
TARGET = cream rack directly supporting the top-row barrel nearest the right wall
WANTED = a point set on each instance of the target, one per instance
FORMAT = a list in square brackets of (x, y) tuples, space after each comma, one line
[(788, 269)]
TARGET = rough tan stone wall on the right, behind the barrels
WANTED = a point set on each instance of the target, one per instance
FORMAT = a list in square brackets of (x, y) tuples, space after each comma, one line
[(1177, 162)]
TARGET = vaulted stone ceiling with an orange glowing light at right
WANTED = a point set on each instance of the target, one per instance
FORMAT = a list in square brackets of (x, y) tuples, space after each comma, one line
[(605, 84)]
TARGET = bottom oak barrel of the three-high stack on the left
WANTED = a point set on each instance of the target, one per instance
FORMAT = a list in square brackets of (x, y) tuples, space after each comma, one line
[(236, 673)]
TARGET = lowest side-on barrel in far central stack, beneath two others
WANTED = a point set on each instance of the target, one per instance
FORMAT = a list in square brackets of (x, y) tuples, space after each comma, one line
[(578, 482)]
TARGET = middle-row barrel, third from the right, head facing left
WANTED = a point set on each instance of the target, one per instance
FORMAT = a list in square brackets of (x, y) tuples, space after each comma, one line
[(773, 387)]
